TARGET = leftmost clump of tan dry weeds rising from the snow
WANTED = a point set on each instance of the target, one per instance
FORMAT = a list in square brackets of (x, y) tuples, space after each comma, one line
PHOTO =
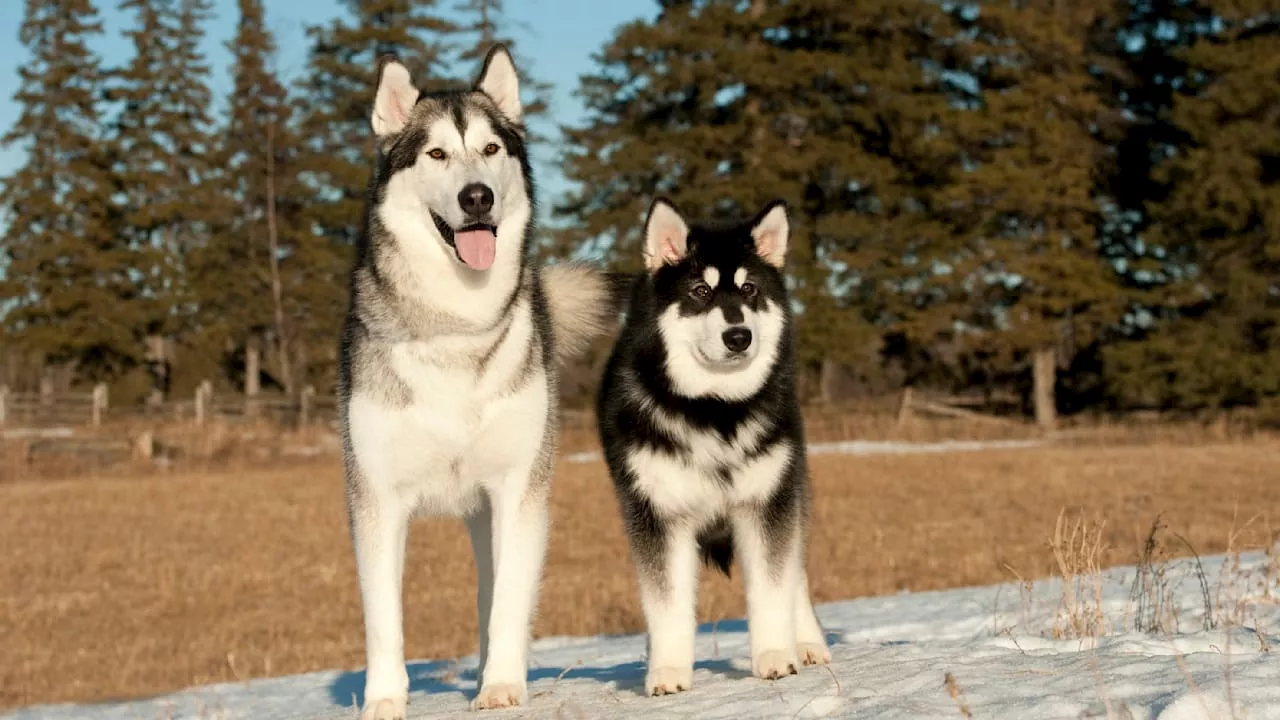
[(1078, 552)]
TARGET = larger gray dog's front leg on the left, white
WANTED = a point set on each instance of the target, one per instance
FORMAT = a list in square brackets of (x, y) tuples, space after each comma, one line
[(380, 525)]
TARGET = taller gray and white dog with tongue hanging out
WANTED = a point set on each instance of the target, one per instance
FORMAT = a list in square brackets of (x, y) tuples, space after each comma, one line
[(449, 366)]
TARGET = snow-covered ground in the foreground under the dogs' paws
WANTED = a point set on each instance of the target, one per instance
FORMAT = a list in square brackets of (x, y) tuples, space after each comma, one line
[(893, 659)]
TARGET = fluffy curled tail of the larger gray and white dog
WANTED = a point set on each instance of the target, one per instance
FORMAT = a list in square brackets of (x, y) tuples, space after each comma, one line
[(584, 303)]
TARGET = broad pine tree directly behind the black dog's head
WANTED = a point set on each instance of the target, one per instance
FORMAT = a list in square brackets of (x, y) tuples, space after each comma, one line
[(825, 104)]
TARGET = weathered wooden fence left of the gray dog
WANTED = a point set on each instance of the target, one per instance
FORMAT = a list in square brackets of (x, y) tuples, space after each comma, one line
[(94, 408)]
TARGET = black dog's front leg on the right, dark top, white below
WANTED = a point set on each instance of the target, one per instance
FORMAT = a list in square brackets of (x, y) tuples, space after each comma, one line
[(769, 545)]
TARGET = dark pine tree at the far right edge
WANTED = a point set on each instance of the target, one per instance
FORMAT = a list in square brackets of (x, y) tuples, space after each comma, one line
[(1215, 340)]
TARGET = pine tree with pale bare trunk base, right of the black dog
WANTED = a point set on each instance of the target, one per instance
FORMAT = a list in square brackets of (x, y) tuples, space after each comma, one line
[(1020, 262)]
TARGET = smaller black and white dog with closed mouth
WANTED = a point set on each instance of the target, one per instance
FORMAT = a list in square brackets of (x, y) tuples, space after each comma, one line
[(703, 436)]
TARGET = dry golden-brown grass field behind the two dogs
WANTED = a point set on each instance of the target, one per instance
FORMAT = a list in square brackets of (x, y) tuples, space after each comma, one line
[(121, 587)]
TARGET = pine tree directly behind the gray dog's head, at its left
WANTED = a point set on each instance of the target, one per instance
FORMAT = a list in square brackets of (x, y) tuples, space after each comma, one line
[(333, 149)]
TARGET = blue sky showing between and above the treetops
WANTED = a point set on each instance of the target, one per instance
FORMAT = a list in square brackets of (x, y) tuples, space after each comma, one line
[(556, 37)]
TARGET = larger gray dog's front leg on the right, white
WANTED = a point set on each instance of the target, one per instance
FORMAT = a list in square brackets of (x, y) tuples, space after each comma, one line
[(520, 527)]
